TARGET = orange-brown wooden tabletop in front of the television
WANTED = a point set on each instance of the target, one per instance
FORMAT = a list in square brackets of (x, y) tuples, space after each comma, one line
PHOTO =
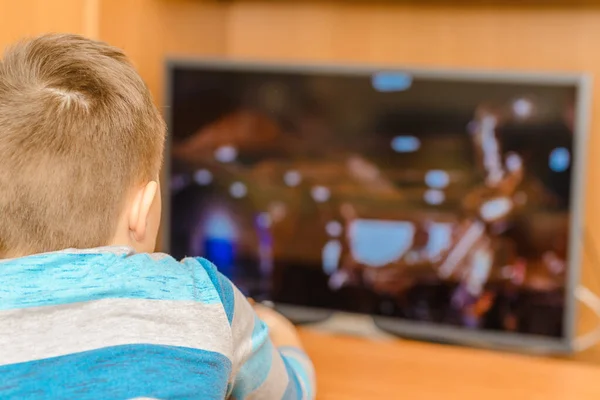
[(351, 368)]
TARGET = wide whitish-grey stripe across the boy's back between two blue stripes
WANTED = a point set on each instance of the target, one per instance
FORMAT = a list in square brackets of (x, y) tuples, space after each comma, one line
[(43, 332)]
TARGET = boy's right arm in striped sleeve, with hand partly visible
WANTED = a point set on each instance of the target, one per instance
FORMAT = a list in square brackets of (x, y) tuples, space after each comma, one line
[(261, 369)]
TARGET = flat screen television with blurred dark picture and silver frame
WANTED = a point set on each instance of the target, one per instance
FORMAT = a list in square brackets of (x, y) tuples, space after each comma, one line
[(446, 205)]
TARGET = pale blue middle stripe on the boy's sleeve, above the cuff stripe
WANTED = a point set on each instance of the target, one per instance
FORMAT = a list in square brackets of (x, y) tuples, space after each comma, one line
[(256, 370)]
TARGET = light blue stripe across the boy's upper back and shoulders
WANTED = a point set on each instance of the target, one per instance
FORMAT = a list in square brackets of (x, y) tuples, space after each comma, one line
[(64, 278)]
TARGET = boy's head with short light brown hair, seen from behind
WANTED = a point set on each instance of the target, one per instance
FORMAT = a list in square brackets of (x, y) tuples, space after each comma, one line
[(81, 146)]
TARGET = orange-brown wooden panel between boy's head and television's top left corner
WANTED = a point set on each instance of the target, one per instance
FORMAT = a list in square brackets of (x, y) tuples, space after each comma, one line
[(151, 30)]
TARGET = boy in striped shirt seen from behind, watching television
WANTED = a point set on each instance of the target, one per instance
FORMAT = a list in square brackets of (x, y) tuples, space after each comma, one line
[(81, 146)]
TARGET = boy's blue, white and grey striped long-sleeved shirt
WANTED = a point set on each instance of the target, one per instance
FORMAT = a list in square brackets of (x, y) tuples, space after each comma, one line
[(111, 324)]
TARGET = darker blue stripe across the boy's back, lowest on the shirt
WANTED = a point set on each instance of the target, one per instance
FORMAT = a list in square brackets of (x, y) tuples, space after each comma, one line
[(120, 372)]
